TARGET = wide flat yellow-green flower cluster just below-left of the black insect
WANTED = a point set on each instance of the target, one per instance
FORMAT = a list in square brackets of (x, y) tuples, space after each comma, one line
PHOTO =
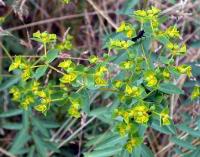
[(121, 44)]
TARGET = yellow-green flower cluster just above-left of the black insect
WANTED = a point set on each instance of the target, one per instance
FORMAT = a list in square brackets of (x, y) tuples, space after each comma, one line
[(127, 29)]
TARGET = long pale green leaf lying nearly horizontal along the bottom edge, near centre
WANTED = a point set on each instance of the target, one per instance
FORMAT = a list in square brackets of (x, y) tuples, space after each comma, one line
[(104, 152)]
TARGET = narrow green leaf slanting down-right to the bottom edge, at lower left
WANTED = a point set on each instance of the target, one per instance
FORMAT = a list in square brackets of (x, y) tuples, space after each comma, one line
[(40, 146)]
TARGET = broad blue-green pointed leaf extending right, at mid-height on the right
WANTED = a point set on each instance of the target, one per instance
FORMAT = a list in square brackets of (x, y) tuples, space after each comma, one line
[(170, 88)]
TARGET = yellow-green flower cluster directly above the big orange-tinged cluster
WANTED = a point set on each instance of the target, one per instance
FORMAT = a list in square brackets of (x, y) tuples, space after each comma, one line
[(132, 91)]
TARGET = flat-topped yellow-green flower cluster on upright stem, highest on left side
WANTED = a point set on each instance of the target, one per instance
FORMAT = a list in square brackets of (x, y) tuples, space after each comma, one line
[(44, 37)]
